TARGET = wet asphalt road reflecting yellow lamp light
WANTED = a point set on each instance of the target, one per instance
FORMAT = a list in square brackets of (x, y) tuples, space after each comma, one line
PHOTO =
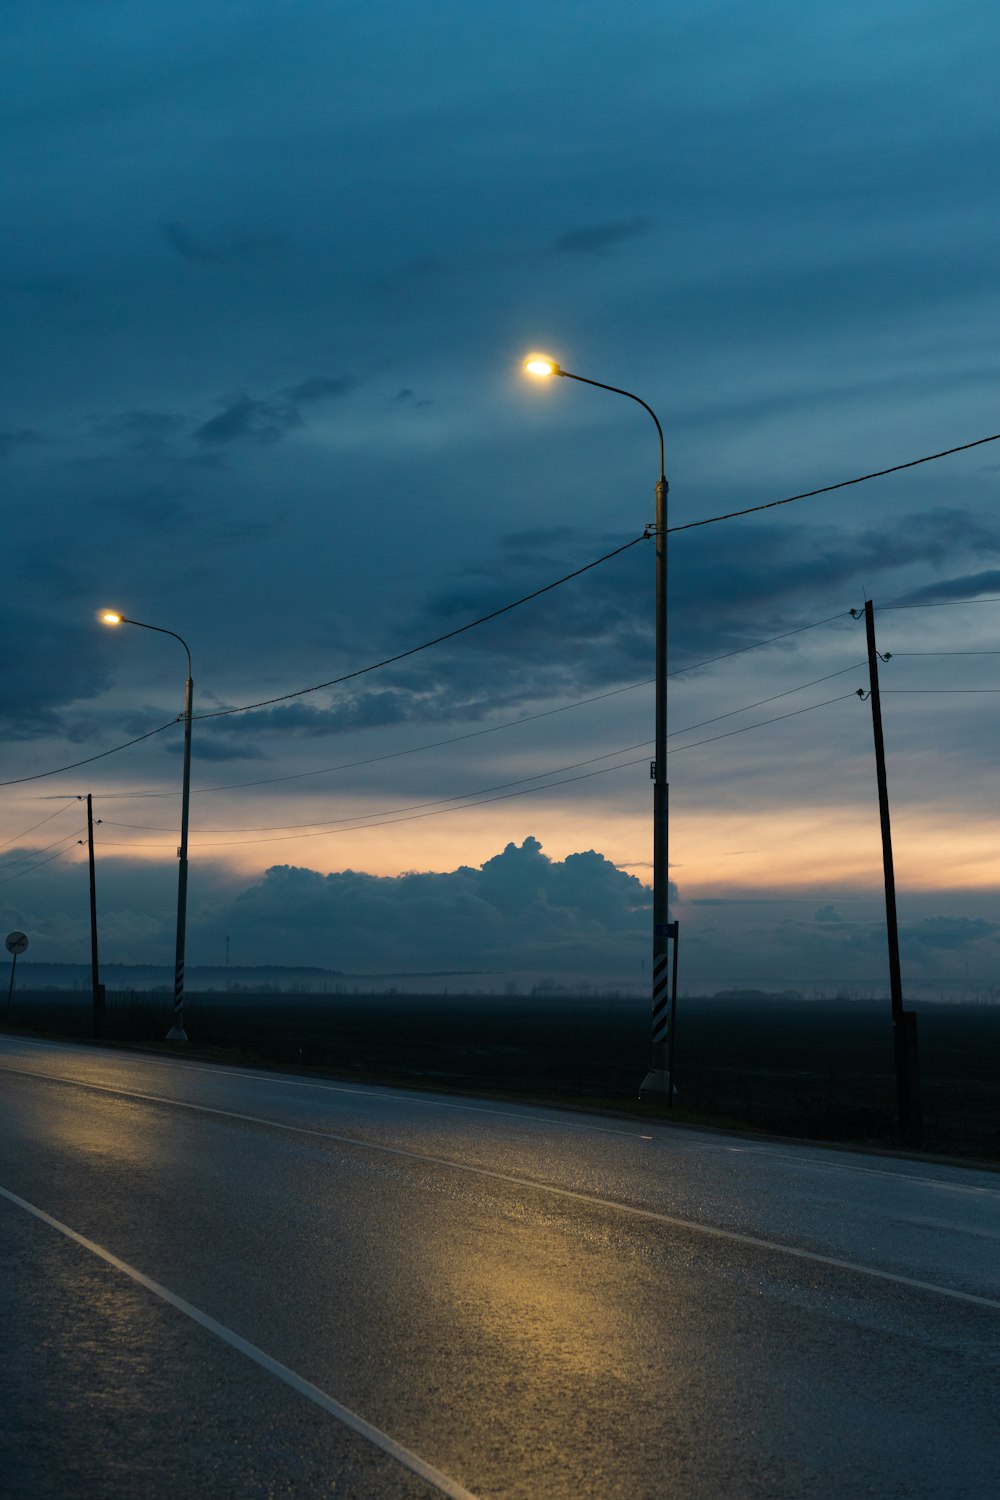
[(232, 1285)]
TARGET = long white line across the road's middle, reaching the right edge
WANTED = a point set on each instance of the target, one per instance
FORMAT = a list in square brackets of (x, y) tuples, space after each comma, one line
[(593, 1201)]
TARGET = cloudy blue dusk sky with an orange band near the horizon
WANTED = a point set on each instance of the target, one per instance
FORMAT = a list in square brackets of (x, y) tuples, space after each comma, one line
[(269, 277)]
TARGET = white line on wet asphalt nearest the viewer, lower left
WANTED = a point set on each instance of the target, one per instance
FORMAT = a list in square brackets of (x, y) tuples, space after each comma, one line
[(305, 1388)]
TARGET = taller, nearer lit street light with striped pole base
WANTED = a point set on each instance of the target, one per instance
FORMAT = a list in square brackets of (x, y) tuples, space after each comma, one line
[(663, 931)]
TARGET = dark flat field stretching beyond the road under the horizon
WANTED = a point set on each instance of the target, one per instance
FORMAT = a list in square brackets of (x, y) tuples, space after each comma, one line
[(819, 1069)]
